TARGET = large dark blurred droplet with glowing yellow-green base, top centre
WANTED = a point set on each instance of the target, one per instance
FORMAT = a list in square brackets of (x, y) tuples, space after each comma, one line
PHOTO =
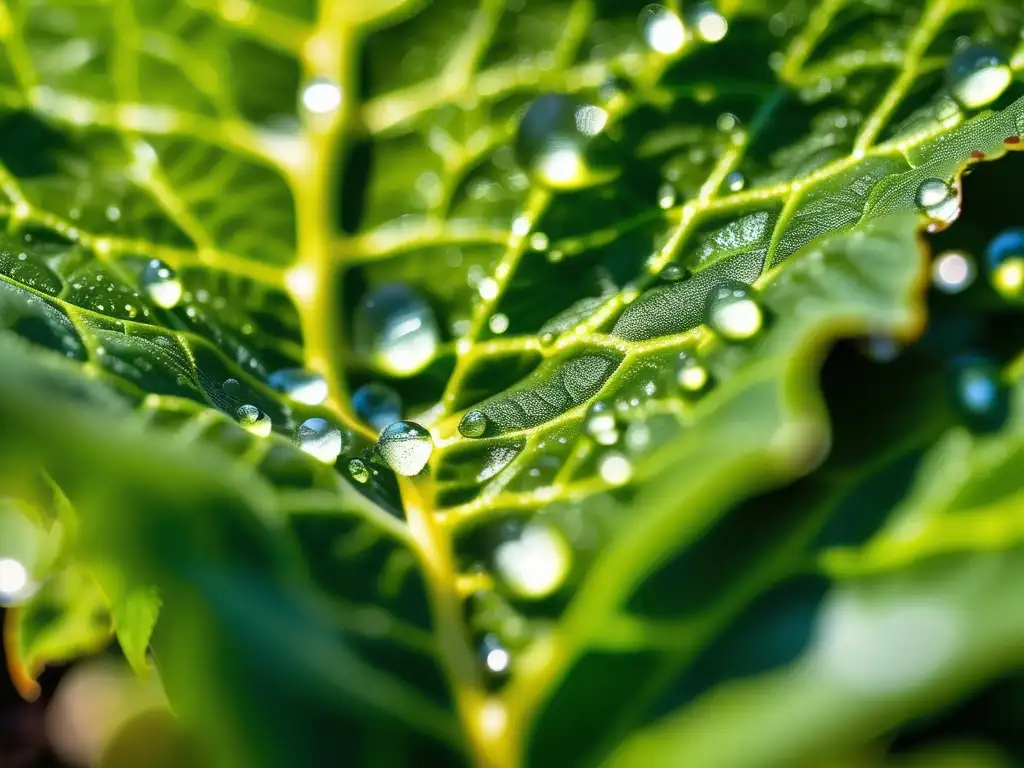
[(558, 144)]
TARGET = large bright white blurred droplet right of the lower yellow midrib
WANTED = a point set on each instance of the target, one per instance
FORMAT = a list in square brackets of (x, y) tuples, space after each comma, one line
[(536, 564)]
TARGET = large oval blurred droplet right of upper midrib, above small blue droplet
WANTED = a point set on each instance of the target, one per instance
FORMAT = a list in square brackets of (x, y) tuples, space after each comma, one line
[(396, 328)]
